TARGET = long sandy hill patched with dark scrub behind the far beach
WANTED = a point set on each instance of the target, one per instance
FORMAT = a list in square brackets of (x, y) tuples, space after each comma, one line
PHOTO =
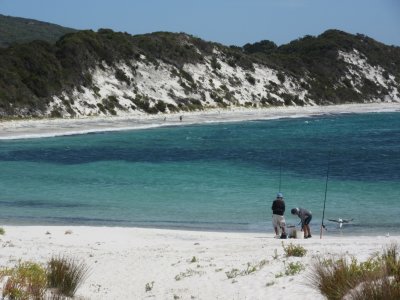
[(113, 73)]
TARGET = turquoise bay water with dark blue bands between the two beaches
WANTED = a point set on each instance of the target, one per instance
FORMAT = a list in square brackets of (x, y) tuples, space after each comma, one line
[(210, 177)]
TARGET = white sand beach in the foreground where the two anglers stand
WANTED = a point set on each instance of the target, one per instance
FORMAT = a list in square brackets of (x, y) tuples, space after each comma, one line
[(184, 264)]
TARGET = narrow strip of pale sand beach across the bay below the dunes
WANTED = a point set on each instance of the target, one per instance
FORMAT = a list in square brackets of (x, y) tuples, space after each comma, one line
[(17, 129)]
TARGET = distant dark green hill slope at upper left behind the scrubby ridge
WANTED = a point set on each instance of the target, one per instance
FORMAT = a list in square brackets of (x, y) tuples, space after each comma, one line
[(21, 30)]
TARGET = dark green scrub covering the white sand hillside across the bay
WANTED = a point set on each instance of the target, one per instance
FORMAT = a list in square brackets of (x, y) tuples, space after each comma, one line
[(33, 72)]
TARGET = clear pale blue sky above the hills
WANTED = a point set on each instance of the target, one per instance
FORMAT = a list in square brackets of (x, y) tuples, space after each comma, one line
[(230, 22)]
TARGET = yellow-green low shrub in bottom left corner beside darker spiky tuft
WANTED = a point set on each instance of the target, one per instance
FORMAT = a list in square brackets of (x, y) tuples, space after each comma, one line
[(25, 281)]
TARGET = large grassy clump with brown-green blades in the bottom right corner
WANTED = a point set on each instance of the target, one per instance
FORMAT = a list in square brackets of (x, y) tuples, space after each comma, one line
[(376, 278)]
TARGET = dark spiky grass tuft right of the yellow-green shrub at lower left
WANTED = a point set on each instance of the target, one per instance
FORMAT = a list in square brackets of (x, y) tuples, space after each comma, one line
[(66, 275)]
